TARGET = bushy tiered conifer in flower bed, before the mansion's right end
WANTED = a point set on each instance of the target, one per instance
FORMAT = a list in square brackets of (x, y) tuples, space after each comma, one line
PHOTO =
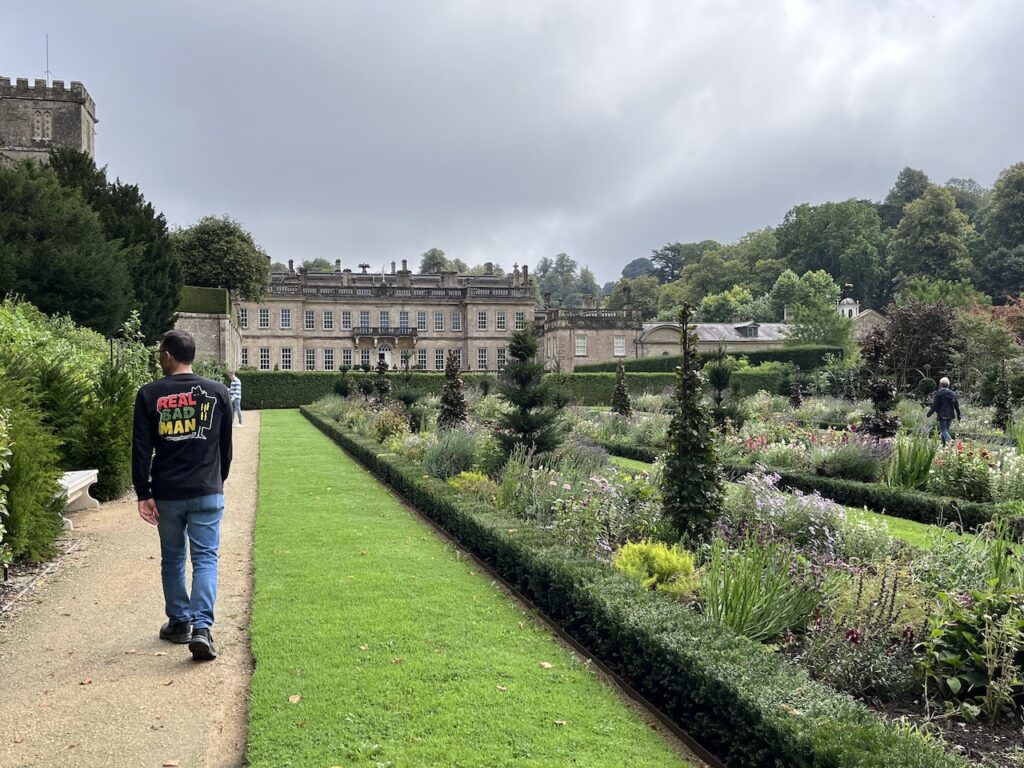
[(533, 419)]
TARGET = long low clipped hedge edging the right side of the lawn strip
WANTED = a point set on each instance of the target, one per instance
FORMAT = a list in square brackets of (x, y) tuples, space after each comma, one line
[(737, 698)]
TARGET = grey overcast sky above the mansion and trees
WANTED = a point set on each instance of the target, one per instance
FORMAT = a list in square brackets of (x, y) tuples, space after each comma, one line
[(507, 132)]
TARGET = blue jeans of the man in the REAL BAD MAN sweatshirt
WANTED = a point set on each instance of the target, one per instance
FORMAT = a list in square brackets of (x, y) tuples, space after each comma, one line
[(198, 522)]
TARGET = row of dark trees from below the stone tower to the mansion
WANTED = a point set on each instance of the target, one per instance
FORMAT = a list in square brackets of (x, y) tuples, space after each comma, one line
[(73, 242)]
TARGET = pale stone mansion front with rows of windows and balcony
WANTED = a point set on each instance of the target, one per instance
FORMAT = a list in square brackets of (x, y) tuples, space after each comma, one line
[(323, 321)]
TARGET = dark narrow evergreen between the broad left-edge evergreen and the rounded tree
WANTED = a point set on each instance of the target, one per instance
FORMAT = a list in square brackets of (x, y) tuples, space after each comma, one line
[(126, 217)]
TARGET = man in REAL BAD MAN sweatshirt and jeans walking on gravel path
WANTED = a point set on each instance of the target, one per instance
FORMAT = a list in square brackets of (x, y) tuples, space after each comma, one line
[(182, 452)]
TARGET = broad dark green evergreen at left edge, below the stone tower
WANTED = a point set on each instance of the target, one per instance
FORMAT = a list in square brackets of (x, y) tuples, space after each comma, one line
[(55, 252)]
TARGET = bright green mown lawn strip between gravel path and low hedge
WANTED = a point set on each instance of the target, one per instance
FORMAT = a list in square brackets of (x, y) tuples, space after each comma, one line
[(399, 650)]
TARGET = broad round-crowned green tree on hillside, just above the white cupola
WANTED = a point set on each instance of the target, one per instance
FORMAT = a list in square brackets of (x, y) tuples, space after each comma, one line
[(843, 239)]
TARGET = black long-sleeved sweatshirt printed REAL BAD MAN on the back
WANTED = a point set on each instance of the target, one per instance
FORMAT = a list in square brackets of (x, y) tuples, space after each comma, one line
[(187, 420)]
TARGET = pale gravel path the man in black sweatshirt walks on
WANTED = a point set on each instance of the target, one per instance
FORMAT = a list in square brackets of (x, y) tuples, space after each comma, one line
[(84, 681)]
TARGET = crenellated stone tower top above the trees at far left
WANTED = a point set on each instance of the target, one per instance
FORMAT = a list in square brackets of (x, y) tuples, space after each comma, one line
[(36, 119)]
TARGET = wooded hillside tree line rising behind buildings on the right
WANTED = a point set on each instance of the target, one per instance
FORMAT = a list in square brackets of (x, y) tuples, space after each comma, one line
[(958, 241)]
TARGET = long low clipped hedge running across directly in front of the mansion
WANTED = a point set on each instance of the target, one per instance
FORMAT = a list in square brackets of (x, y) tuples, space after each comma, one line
[(274, 390)]
